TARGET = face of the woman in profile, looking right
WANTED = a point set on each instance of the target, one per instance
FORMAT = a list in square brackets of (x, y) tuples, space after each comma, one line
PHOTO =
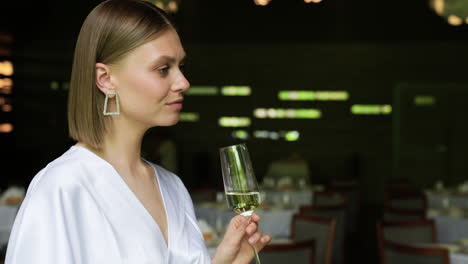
[(150, 82)]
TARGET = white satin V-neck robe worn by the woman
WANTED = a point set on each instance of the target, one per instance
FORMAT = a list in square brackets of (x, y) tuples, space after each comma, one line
[(79, 210)]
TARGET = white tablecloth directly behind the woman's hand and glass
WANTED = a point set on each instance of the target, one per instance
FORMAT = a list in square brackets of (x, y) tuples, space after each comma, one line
[(275, 222)]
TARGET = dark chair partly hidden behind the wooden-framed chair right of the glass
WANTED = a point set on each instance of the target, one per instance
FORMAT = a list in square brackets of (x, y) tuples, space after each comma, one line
[(334, 212)]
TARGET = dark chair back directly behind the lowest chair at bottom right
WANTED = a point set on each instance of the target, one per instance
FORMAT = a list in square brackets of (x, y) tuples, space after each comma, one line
[(410, 232)]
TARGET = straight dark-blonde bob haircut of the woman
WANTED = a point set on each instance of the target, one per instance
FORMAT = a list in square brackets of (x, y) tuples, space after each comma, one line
[(111, 30)]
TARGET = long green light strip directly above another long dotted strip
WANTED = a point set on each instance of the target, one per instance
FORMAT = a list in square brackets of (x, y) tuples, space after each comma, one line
[(287, 95)]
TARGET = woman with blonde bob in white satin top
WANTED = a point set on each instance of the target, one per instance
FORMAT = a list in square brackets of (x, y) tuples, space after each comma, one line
[(100, 202)]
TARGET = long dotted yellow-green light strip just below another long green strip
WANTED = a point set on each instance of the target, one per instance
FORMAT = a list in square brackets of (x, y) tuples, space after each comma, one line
[(280, 113)]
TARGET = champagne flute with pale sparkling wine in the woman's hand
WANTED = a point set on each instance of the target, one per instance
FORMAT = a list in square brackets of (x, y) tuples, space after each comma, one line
[(240, 185)]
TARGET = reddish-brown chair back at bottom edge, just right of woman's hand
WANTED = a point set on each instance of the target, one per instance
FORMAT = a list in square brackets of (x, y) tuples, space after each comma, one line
[(295, 252)]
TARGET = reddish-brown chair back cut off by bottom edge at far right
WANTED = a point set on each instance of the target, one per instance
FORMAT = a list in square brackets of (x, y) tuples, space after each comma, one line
[(396, 253)]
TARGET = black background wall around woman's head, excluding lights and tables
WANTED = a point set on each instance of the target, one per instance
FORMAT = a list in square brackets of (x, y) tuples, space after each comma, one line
[(381, 52)]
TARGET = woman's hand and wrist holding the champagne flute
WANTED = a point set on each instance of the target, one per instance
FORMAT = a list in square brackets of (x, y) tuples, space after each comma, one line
[(240, 235)]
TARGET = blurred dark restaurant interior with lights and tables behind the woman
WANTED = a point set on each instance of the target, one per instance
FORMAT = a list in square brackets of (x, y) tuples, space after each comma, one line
[(353, 113)]
